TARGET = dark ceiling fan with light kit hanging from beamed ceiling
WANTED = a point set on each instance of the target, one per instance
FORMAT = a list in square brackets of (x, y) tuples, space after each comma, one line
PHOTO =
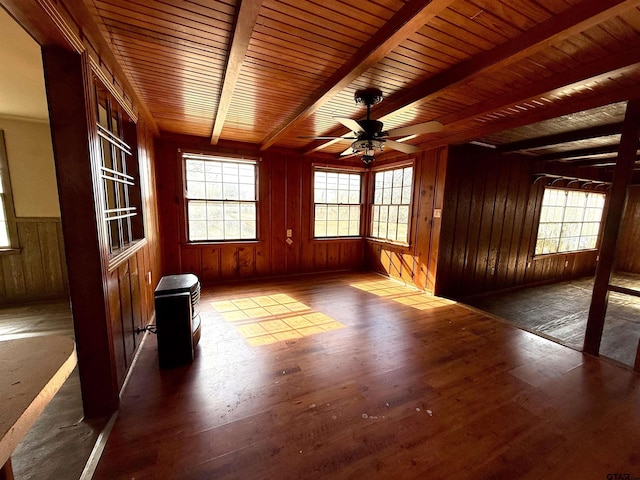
[(368, 137)]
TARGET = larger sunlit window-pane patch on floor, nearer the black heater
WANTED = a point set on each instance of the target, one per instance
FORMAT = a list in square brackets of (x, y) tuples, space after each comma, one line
[(274, 318)]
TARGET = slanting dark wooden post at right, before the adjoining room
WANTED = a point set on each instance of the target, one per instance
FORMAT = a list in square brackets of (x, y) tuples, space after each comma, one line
[(617, 199)]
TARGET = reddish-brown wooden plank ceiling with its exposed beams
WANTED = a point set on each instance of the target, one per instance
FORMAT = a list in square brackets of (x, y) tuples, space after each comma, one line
[(267, 72)]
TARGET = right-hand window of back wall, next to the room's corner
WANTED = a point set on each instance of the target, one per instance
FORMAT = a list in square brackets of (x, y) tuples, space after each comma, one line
[(337, 204)]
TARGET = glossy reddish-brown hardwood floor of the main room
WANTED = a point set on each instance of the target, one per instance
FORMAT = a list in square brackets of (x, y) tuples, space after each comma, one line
[(402, 386)]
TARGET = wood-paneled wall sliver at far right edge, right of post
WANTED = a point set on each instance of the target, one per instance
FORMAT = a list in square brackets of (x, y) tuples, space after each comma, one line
[(628, 253)]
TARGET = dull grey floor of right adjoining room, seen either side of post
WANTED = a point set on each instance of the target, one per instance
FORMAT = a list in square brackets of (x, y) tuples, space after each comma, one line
[(559, 311)]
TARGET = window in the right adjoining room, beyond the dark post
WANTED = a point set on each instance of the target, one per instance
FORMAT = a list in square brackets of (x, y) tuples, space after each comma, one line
[(569, 221)]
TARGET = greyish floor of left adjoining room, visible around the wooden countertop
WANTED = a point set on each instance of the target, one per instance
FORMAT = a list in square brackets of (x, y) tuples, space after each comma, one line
[(58, 445)]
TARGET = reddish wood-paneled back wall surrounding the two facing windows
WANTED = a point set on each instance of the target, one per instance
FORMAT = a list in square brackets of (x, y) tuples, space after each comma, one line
[(285, 202)]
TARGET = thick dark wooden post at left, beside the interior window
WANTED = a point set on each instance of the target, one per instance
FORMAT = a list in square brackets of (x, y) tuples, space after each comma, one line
[(69, 83)]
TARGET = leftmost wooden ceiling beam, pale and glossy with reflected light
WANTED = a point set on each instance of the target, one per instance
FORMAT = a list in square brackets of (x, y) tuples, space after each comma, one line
[(245, 21)]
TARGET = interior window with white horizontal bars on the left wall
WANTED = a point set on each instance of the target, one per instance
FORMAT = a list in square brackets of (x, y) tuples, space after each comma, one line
[(119, 172)]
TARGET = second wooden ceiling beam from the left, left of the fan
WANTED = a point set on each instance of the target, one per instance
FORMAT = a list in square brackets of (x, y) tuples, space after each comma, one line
[(410, 18)]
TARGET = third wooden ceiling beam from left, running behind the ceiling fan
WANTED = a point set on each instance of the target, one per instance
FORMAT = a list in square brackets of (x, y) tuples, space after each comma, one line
[(559, 27)]
